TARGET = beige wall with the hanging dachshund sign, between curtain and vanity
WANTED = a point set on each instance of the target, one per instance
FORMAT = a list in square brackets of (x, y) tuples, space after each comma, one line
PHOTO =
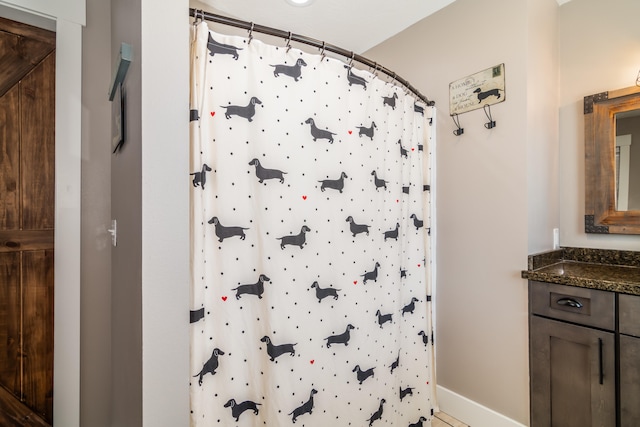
[(497, 197)]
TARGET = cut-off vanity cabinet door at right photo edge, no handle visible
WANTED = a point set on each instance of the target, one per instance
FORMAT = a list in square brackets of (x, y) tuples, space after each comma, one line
[(629, 381)]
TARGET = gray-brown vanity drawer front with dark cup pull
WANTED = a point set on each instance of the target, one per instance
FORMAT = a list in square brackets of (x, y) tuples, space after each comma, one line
[(589, 307)]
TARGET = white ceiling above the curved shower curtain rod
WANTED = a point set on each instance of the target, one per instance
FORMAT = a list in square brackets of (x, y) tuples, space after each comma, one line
[(354, 25)]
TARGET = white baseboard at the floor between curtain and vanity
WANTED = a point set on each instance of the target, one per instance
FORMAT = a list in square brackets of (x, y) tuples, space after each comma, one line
[(470, 412)]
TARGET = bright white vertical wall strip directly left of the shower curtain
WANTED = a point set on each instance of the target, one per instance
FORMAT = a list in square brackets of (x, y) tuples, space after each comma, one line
[(165, 212)]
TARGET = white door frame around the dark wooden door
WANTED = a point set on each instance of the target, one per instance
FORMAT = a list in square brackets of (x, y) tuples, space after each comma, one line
[(68, 28)]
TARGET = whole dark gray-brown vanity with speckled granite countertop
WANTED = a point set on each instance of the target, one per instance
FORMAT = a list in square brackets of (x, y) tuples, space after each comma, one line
[(584, 337)]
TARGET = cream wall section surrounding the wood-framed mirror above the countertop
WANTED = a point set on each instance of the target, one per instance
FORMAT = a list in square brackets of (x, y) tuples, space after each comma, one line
[(599, 51)]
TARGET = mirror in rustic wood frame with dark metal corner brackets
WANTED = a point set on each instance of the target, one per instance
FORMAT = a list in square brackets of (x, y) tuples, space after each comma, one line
[(612, 156)]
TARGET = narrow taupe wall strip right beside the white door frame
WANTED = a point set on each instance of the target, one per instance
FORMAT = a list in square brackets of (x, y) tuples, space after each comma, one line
[(95, 328)]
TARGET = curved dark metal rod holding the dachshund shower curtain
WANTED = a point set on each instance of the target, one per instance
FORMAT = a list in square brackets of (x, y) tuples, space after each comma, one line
[(250, 26)]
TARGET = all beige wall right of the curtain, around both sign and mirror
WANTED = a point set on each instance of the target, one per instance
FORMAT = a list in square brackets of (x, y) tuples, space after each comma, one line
[(500, 193)]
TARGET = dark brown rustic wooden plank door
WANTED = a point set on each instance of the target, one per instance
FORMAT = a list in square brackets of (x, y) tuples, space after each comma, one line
[(27, 149)]
